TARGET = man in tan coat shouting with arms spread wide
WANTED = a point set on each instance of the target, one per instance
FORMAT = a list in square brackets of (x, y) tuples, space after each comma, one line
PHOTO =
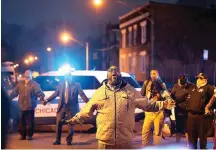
[(115, 102)]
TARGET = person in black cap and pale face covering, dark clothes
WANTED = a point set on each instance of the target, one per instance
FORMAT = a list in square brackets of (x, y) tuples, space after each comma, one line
[(198, 98)]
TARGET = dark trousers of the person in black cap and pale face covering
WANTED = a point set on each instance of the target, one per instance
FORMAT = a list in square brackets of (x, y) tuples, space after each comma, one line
[(197, 129)]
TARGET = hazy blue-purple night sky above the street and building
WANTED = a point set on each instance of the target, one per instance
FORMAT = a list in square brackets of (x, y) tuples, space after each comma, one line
[(36, 18)]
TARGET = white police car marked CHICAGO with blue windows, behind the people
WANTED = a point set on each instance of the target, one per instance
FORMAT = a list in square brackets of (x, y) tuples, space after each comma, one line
[(90, 82)]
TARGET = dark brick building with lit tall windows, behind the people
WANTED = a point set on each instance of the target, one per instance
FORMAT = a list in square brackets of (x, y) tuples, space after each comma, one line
[(170, 38)]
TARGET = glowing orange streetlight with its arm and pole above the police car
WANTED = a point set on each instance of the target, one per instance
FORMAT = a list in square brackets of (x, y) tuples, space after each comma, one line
[(66, 37)]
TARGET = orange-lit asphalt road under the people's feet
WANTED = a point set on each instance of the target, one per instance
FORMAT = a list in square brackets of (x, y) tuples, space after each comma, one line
[(86, 140)]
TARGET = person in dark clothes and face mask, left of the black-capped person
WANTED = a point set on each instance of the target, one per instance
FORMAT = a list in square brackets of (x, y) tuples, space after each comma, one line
[(179, 93)]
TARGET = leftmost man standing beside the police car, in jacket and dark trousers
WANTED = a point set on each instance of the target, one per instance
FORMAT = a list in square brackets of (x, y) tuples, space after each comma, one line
[(28, 92)]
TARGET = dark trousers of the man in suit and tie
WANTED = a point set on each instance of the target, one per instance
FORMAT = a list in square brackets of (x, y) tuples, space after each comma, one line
[(61, 115)]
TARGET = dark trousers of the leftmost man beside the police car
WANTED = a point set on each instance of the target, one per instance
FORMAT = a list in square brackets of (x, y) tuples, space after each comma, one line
[(26, 123)]
